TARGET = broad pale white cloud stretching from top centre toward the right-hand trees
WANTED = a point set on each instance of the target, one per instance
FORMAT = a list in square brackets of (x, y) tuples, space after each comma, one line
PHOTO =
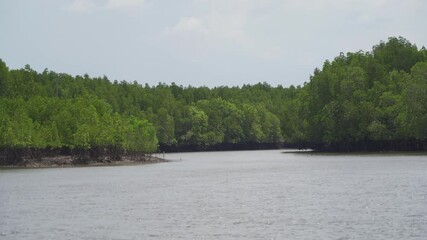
[(270, 29)]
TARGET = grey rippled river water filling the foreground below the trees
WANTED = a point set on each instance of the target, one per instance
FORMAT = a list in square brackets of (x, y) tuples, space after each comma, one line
[(225, 195)]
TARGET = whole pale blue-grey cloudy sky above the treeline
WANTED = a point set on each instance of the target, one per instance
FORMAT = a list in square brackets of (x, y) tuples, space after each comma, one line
[(199, 42)]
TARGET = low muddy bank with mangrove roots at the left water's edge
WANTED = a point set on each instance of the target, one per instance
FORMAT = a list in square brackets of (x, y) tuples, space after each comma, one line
[(69, 161)]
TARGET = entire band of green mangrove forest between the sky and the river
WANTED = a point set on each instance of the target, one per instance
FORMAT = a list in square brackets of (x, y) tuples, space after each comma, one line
[(360, 101)]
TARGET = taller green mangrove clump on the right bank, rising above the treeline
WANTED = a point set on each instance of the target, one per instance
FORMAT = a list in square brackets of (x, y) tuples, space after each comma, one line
[(377, 96)]
